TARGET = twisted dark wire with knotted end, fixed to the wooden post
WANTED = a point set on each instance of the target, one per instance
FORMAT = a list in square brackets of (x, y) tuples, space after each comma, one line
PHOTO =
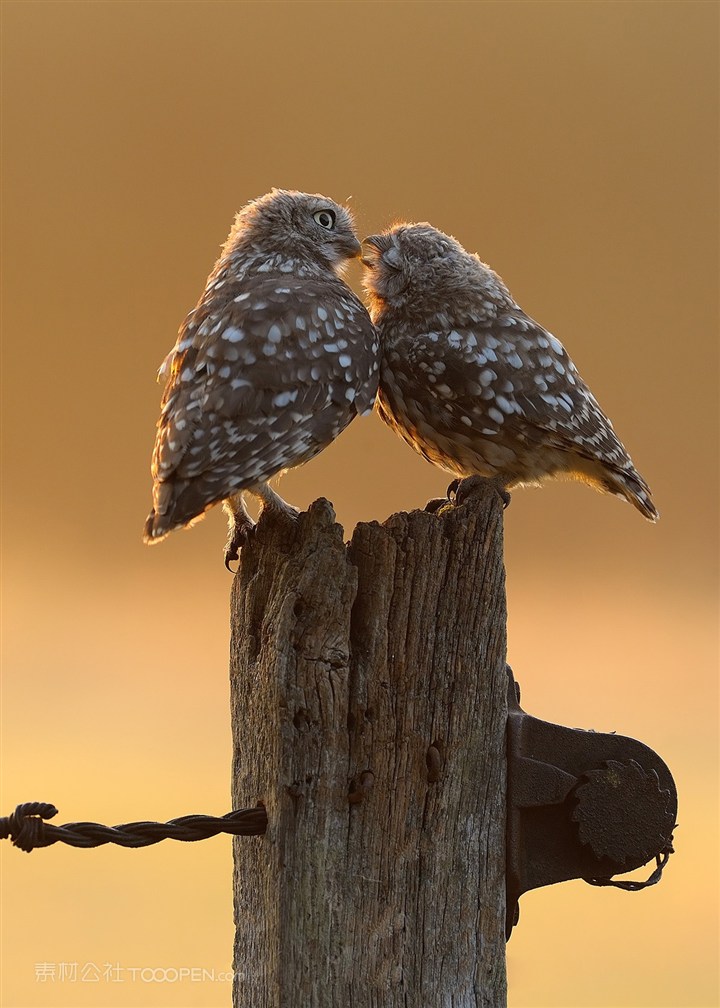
[(27, 830)]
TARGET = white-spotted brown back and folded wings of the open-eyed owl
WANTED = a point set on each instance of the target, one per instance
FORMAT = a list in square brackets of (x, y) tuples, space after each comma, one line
[(263, 377)]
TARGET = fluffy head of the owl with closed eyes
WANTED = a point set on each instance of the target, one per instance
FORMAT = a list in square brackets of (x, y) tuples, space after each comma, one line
[(419, 270)]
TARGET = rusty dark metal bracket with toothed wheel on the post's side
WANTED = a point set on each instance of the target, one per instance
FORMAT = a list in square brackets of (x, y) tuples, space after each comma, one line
[(581, 805)]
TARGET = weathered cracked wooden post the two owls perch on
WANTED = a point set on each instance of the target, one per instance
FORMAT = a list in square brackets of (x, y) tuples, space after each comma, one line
[(369, 707)]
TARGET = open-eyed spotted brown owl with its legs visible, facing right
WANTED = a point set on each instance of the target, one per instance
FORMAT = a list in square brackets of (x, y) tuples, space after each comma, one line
[(277, 358)]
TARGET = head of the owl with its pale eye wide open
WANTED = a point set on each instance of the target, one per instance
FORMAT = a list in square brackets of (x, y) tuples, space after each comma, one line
[(297, 226)]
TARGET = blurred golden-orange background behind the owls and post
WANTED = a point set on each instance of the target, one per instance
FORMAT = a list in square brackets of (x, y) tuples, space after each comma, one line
[(575, 148)]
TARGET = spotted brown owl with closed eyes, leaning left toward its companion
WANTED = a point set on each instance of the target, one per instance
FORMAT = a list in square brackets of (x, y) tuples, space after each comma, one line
[(473, 384)]
